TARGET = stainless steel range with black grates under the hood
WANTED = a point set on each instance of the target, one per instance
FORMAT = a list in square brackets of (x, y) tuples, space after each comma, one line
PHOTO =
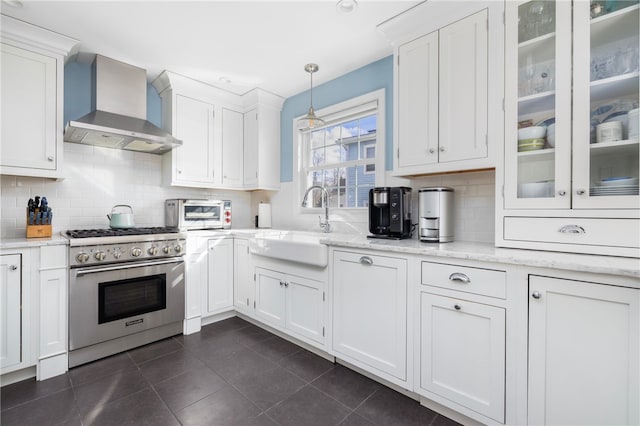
[(126, 289)]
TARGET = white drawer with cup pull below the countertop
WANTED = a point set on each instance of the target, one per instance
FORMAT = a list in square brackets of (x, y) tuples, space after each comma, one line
[(486, 282)]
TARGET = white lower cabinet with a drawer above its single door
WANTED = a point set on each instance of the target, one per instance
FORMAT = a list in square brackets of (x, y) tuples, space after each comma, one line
[(461, 339)]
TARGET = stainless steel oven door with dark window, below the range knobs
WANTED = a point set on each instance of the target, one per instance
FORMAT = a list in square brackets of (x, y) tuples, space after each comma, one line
[(106, 302)]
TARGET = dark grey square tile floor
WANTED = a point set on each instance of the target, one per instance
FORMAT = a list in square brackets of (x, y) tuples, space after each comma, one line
[(231, 373)]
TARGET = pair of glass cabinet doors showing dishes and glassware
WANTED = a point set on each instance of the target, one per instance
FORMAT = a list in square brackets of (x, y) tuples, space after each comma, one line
[(571, 113)]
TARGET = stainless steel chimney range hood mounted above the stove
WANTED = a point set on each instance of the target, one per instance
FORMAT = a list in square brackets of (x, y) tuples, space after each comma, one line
[(118, 117)]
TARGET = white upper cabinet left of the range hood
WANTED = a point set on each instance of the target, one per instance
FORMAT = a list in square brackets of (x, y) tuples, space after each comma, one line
[(32, 72)]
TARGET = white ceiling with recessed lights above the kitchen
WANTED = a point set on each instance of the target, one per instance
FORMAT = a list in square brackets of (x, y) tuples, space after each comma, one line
[(251, 43)]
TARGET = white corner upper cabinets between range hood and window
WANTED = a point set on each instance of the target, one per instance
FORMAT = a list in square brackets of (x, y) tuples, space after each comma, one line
[(220, 148)]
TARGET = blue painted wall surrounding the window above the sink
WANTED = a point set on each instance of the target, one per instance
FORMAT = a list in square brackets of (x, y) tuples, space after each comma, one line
[(377, 75)]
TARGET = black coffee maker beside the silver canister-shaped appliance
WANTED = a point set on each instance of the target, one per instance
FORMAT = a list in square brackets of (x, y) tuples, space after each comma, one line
[(390, 212)]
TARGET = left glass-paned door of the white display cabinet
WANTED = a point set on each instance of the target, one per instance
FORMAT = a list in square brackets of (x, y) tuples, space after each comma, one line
[(538, 104)]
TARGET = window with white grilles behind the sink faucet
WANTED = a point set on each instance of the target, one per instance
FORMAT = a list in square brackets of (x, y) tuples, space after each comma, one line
[(342, 156)]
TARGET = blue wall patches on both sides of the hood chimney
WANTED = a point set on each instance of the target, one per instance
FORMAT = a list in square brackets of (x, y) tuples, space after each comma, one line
[(78, 81)]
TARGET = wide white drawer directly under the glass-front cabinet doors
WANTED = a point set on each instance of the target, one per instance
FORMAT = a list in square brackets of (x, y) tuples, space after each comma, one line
[(580, 231)]
